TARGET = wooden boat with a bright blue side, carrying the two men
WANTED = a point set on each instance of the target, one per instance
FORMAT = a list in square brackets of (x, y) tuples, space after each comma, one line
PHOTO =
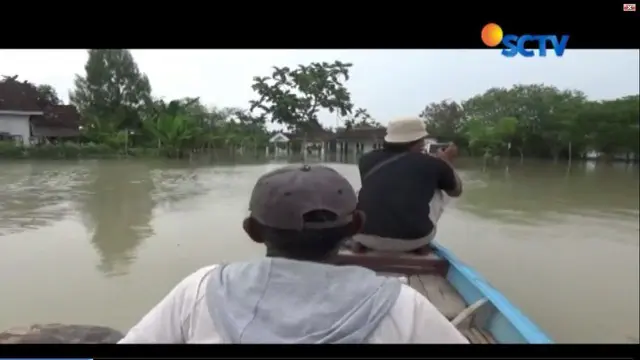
[(478, 310)]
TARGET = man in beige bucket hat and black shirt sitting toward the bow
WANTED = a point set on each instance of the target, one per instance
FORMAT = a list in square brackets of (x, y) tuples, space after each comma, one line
[(403, 190)]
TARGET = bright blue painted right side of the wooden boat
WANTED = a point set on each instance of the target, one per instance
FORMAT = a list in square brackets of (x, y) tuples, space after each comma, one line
[(507, 325)]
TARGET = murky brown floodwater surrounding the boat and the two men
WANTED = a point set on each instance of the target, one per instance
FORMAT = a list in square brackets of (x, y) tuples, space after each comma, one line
[(100, 242)]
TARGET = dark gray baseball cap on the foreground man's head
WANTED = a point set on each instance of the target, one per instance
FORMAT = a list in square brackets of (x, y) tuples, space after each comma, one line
[(282, 197)]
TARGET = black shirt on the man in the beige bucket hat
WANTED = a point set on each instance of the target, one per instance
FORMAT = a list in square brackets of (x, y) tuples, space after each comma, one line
[(396, 197)]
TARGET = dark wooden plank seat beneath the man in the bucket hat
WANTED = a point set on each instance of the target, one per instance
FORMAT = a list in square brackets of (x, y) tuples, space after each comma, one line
[(388, 262)]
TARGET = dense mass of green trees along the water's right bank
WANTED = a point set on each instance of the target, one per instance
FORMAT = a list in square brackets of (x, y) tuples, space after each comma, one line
[(549, 122)]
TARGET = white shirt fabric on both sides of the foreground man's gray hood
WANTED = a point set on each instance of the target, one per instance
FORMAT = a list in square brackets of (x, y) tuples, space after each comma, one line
[(183, 317)]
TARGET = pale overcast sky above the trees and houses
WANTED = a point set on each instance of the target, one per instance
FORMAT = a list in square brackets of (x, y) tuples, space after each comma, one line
[(389, 83)]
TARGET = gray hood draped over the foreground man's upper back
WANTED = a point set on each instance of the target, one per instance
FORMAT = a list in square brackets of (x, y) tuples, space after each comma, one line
[(275, 300)]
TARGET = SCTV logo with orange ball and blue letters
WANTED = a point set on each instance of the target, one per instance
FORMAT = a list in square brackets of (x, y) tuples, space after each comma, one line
[(492, 36)]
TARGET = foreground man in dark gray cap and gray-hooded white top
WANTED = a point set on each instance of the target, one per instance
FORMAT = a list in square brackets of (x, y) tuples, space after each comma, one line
[(302, 215)]
